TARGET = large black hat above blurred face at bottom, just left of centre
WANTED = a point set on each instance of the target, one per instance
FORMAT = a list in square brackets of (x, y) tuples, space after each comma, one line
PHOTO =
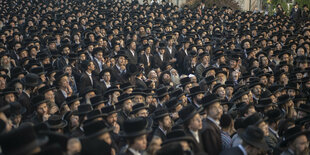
[(135, 127)]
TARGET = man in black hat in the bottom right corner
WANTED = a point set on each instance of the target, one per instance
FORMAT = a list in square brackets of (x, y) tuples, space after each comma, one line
[(295, 141)]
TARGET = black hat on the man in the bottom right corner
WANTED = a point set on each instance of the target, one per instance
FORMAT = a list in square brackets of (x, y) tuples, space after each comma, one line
[(292, 133)]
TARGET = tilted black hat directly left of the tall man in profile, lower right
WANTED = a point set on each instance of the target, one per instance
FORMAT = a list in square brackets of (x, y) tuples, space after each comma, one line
[(187, 113)]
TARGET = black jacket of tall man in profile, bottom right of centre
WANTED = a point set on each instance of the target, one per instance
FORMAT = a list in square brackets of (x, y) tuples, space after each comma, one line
[(211, 138)]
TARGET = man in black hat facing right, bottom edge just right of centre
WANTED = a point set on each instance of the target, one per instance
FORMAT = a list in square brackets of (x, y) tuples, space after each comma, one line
[(164, 123)]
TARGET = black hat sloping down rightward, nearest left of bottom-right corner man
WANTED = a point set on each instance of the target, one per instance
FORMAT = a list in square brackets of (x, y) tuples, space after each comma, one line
[(255, 137)]
